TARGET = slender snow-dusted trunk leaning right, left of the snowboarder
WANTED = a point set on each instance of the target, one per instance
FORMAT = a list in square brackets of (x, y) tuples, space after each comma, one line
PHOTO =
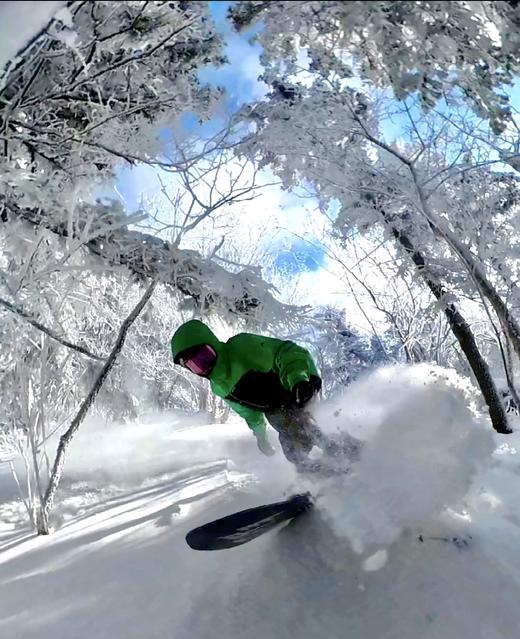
[(66, 438)]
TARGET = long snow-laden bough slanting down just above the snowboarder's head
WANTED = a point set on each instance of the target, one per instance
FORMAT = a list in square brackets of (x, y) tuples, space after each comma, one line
[(209, 285)]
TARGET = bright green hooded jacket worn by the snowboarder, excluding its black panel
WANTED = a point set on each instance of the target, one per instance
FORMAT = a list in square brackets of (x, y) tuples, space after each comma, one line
[(242, 354)]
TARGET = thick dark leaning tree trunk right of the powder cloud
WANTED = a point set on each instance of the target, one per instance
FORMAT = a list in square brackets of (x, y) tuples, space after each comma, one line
[(464, 335)]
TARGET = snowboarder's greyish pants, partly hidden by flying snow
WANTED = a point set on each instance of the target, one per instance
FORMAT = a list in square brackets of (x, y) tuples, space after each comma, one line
[(297, 431)]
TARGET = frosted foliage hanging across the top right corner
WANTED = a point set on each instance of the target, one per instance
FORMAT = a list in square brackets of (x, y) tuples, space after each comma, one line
[(432, 49)]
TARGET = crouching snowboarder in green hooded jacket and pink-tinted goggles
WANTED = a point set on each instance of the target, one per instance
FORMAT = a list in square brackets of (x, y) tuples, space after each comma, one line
[(257, 376)]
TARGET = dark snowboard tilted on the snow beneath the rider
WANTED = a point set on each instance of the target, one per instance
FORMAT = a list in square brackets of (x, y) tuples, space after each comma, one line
[(245, 525)]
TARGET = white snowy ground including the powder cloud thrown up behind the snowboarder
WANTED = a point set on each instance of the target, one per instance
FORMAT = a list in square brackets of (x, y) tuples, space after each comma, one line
[(418, 541)]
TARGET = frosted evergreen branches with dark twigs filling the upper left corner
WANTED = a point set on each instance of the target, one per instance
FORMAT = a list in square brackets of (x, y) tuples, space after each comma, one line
[(96, 88)]
